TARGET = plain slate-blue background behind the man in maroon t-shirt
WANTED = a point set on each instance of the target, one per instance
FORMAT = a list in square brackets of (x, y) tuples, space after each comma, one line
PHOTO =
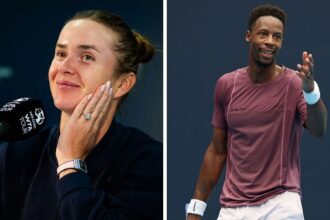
[(207, 39)]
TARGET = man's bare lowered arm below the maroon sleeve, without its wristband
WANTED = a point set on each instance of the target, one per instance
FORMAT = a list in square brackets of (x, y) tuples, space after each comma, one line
[(212, 166)]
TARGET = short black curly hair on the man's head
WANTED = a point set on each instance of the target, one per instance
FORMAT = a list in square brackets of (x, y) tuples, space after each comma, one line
[(266, 10)]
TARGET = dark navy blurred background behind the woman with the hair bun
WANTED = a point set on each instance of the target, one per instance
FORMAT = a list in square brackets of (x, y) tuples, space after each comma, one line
[(29, 31)]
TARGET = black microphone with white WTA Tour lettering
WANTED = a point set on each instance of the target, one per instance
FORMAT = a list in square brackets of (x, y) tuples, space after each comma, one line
[(21, 119)]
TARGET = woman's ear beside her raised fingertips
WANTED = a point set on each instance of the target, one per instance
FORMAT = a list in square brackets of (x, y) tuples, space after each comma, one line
[(124, 84)]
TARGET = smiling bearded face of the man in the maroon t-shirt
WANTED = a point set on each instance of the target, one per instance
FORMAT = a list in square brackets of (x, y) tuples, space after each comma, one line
[(265, 40)]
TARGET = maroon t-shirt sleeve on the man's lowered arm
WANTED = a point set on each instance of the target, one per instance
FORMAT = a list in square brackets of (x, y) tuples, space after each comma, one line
[(218, 118)]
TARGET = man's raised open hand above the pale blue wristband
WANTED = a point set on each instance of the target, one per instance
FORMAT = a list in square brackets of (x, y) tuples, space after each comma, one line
[(306, 72)]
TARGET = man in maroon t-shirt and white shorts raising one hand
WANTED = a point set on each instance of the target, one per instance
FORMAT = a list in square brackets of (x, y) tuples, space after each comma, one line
[(259, 115)]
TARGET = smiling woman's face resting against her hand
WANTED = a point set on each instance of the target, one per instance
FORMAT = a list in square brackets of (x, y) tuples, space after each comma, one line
[(83, 60)]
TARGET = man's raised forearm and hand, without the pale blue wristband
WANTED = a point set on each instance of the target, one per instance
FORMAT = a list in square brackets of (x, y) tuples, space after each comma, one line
[(316, 122)]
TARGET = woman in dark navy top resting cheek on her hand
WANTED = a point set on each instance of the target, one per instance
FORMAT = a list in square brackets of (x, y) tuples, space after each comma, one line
[(90, 167)]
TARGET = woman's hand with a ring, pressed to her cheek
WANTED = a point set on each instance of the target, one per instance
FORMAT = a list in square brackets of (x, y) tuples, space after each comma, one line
[(82, 131)]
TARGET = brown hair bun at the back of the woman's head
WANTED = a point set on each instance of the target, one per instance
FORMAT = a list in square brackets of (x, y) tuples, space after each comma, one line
[(145, 50)]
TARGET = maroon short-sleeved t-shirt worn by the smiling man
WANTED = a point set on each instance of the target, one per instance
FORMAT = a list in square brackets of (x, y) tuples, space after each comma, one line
[(264, 125)]
